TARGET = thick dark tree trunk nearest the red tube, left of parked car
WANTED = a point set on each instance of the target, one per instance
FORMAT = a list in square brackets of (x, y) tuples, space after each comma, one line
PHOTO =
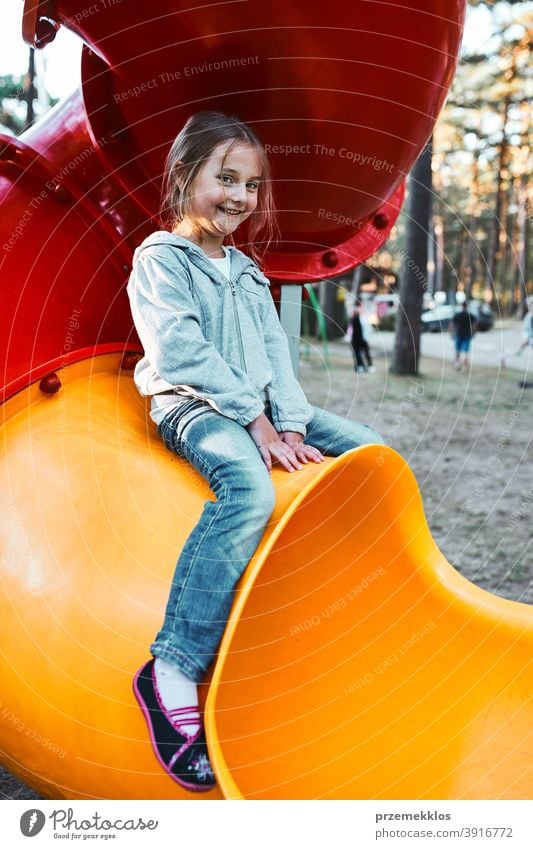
[(413, 280)]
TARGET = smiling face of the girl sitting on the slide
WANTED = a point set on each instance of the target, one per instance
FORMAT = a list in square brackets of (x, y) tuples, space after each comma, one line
[(222, 196)]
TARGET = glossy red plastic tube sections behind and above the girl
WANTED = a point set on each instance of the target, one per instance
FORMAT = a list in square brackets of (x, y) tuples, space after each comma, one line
[(344, 98)]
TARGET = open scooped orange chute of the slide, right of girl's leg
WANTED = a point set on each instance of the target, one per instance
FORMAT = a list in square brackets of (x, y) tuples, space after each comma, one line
[(360, 665)]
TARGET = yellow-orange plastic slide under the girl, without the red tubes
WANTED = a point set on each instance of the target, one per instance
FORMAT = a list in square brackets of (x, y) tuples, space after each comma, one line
[(357, 662)]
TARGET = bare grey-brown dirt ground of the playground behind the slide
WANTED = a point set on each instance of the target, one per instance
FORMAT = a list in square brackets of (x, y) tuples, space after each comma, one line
[(467, 438)]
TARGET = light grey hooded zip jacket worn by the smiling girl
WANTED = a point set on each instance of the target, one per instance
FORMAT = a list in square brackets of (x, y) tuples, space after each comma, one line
[(211, 338)]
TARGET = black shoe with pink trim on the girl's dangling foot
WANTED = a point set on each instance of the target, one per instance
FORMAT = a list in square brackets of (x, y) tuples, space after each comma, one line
[(184, 757)]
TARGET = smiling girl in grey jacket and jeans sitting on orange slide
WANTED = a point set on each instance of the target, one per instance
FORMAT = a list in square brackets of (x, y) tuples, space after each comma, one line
[(223, 396)]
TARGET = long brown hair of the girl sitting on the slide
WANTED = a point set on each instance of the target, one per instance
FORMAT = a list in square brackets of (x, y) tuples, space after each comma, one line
[(194, 144)]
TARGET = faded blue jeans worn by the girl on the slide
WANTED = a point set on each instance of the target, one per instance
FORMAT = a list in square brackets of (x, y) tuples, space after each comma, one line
[(228, 532)]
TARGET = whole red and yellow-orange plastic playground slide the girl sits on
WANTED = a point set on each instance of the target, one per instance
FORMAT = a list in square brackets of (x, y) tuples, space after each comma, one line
[(422, 673)]
